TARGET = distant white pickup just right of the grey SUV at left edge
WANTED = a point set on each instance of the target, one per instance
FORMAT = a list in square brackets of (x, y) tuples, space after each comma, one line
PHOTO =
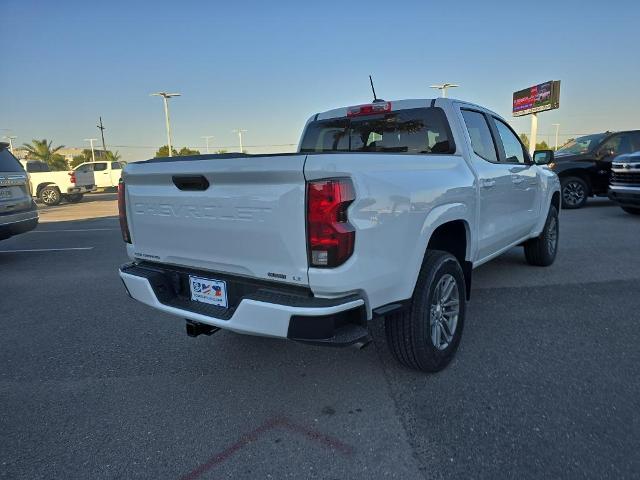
[(53, 187)]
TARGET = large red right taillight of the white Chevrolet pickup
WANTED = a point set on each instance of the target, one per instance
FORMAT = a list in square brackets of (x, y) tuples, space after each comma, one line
[(330, 236)]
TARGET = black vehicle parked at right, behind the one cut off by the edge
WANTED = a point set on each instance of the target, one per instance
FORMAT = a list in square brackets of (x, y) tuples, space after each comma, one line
[(584, 164)]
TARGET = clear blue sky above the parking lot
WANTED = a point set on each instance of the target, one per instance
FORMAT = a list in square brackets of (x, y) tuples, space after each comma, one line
[(267, 66)]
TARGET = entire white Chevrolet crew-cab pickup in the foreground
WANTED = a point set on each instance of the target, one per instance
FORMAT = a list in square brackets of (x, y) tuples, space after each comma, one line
[(384, 210)]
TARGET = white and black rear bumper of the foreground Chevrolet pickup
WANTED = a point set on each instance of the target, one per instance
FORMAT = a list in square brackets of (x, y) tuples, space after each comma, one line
[(263, 311)]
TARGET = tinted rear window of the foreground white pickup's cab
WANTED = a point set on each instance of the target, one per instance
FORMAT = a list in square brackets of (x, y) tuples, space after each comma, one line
[(414, 131)]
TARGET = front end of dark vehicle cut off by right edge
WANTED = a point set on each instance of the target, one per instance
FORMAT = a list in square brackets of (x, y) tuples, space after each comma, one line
[(625, 182)]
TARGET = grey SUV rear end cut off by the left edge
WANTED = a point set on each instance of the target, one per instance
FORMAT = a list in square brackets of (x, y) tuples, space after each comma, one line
[(18, 212)]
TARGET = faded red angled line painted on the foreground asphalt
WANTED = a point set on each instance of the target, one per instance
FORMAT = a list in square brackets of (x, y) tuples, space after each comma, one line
[(277, 422)]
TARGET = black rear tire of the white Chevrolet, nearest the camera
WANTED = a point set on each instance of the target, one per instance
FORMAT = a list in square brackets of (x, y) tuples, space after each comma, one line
[(410, 332)]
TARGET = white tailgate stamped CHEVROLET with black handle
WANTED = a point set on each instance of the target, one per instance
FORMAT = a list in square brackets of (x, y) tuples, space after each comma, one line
[(249, 221)]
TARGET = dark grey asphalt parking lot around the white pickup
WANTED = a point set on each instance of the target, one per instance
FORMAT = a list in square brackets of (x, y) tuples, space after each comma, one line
[(95, 385)]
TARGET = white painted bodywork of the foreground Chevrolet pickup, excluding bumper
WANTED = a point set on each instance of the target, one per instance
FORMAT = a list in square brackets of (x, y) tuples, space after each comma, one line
[(400, 201)]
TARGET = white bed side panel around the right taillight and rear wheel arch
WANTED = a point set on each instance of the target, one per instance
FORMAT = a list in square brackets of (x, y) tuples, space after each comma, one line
[(400, 200)]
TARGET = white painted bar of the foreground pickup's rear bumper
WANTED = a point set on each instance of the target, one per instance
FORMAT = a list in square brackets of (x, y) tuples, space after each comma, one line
[(251, 317)]
